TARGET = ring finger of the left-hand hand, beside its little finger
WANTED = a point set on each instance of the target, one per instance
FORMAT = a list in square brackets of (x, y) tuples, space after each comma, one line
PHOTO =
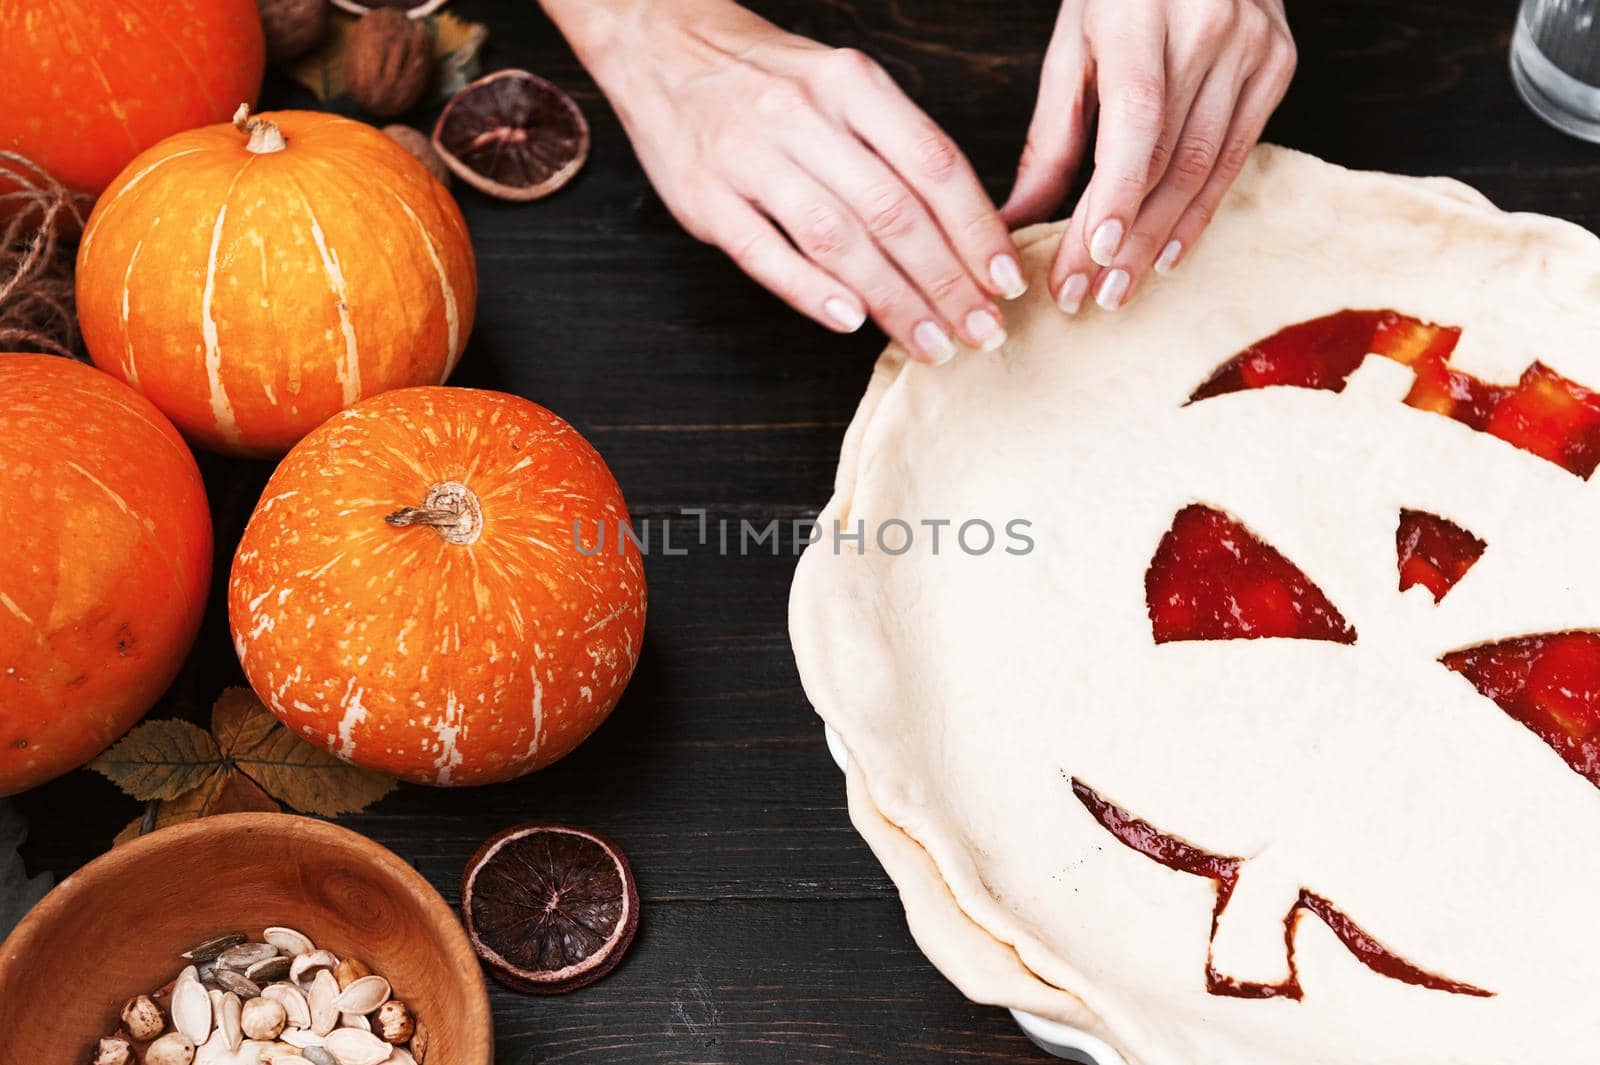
[(830, 234)]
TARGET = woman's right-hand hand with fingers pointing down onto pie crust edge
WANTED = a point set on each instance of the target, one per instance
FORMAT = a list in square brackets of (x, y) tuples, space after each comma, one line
[(1183, 90)]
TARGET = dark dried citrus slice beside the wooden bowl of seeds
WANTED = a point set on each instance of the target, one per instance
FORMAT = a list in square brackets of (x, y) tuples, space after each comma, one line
[(550, 909)]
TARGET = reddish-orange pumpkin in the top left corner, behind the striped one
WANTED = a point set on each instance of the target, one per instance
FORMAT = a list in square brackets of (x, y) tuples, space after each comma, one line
[(89, 86)]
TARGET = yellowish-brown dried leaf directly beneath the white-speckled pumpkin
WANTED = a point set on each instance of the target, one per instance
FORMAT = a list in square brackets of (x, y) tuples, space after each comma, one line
[(289, 768)]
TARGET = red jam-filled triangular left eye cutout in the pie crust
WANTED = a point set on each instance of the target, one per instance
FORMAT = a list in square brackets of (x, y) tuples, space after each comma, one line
[(1212, 580)]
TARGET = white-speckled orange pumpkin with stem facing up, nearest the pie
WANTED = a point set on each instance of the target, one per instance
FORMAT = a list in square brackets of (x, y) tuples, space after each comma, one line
[(412, 596)]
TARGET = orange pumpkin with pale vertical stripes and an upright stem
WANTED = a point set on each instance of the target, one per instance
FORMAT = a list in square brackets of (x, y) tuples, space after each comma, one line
[(255, 279)]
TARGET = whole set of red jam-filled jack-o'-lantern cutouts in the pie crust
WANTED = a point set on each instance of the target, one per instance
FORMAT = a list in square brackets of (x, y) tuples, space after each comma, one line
[(1214, 580)]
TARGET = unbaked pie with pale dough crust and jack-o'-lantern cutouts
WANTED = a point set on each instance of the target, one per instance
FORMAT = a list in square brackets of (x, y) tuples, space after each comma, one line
[(1274, 733)]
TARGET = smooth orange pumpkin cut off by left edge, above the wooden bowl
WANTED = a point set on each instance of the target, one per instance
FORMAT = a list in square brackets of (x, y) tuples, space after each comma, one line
[(106, 564)]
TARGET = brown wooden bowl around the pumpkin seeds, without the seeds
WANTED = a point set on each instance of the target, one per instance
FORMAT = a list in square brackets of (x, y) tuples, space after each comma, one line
[(116, 928)]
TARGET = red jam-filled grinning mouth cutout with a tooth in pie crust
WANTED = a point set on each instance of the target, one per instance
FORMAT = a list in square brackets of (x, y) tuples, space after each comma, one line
[(1185, 858)]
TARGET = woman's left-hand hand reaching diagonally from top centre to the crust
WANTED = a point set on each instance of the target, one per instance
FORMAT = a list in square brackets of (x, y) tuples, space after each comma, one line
[(807, 166)]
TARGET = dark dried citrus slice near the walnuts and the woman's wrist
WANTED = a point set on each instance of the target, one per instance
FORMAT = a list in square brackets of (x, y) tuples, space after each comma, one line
[(513, 135)]
